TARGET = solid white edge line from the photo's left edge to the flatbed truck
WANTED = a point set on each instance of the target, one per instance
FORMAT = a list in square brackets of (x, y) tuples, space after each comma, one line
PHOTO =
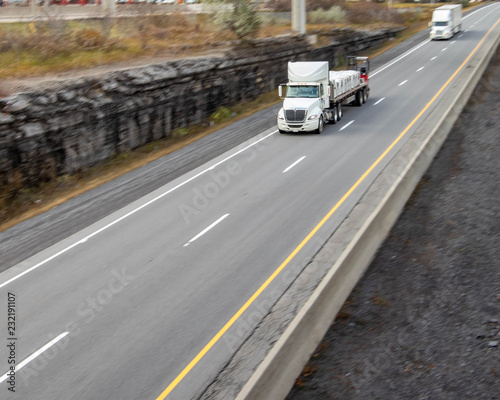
[(133, 211)]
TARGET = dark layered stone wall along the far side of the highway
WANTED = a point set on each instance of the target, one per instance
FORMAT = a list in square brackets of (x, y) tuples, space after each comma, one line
[(62, 129)]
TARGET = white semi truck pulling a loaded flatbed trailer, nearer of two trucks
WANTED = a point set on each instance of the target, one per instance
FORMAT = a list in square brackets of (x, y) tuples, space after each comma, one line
[(314, 95)]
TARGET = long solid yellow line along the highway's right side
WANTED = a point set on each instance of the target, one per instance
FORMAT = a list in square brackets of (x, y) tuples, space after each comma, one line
[(235, 317)]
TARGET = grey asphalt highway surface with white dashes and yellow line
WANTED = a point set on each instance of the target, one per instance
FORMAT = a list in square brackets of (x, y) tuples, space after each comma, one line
[(146, 301)]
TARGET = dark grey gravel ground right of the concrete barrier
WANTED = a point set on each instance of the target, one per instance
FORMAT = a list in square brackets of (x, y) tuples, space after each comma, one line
[(424, 321)]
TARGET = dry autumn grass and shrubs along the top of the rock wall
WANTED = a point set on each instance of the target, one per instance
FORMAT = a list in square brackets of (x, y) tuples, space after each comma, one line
[(51, 45)]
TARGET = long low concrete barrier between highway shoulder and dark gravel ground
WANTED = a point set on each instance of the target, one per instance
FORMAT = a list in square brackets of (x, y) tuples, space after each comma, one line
[(276, 374)]
